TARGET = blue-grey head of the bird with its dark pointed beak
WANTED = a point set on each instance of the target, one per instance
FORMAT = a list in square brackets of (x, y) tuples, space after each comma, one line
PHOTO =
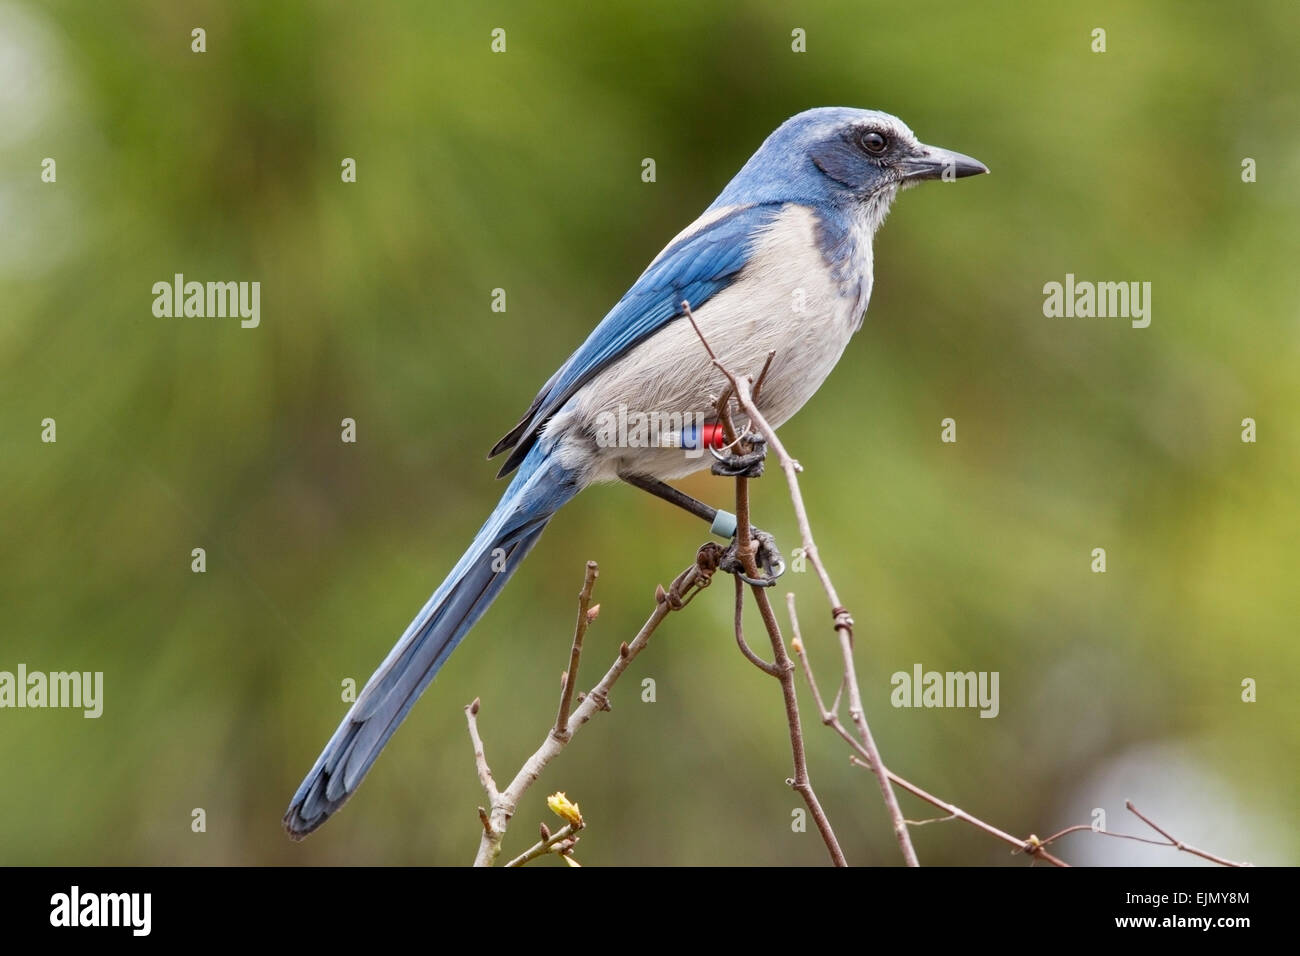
[(842, 157)]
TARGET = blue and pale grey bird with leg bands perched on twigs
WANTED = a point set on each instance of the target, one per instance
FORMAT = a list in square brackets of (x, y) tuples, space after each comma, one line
[(782, 261)]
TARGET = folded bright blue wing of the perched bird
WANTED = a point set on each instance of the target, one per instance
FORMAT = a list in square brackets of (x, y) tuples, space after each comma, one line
[(695, 269)]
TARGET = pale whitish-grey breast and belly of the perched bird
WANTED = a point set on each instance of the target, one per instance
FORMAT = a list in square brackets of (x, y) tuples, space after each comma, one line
[(787, 300)]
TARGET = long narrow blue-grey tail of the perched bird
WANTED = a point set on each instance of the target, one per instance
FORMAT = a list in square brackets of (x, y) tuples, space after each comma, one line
[(538, 492)]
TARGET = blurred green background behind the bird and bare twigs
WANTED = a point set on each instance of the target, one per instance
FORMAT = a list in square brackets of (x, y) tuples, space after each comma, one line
[(523, 171)]
